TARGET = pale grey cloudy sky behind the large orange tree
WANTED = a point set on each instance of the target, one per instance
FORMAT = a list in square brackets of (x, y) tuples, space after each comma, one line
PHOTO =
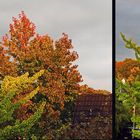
[(87, 22)]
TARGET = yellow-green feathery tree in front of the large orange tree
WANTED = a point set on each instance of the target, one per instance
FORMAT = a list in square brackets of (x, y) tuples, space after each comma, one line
[(10, 126)]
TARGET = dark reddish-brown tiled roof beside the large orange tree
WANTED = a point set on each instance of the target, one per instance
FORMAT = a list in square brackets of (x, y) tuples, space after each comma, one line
[(92, 105)]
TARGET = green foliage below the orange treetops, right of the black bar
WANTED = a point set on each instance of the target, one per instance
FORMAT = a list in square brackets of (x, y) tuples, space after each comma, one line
[(126, 101)]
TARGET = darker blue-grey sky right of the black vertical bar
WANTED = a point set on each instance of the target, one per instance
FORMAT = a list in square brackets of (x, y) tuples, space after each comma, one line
[(128, 22)]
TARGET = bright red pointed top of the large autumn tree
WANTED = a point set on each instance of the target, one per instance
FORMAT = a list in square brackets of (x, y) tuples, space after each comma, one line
[(22, 30)]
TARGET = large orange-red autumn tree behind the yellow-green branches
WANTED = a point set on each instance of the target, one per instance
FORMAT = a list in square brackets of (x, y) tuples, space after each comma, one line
[(23, 50)]
